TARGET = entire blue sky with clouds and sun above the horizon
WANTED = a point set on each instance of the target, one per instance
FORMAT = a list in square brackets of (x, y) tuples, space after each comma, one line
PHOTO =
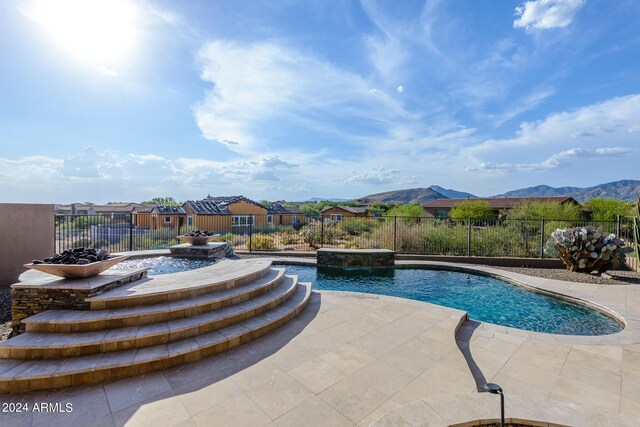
[(124, 101)]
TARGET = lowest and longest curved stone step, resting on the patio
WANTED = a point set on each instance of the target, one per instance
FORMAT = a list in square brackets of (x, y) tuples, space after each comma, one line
[(21, 376)]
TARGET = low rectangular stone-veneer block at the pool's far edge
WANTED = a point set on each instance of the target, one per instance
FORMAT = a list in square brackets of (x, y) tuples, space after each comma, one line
[(369, 258)]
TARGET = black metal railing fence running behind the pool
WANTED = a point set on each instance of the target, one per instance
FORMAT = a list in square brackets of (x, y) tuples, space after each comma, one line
[(409, 235)]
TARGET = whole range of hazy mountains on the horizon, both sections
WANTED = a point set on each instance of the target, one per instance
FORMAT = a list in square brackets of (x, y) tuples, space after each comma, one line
[(627, 190)]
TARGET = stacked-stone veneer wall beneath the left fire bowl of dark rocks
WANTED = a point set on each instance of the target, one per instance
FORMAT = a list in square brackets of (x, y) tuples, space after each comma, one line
[(28, 301)]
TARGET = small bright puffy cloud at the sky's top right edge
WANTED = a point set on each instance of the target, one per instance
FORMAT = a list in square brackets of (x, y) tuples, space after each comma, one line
[(543, 14)]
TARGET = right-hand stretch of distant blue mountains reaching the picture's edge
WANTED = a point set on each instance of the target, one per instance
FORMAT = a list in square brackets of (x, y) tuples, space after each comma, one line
[(623, 190)]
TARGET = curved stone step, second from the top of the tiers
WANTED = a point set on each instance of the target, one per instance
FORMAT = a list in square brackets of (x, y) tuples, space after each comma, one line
[(66, 321)]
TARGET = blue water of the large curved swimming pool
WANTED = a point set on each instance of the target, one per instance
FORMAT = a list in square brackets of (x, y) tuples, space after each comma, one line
[(483, 298)]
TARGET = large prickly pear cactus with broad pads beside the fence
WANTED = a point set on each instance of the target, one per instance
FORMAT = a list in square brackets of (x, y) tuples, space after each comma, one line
[(586, 249)]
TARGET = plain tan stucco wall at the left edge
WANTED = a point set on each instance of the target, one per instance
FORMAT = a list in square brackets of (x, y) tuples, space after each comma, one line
[(26, 233)]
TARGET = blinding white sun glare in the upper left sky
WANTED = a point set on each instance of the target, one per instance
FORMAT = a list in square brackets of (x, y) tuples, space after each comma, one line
[(101, 32)]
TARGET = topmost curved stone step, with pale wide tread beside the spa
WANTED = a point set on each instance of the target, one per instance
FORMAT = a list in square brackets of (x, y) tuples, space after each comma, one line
[(166, 288)]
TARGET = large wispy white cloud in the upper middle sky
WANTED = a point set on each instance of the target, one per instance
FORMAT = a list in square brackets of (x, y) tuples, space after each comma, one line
[(256, 83)]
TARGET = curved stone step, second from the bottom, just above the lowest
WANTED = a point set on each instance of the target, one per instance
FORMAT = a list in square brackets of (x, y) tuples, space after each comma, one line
[(30, 346)]
